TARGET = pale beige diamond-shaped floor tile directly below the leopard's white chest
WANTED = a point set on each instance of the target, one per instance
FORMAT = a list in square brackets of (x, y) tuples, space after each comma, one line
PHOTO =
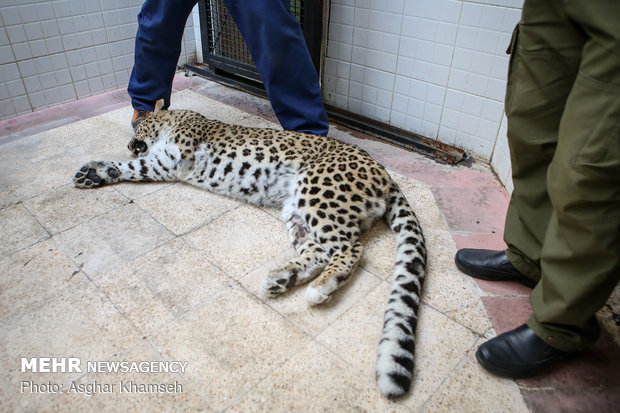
[(182, 208)]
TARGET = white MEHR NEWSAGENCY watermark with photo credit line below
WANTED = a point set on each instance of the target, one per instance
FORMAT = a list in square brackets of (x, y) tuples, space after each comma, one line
[(76, 365)]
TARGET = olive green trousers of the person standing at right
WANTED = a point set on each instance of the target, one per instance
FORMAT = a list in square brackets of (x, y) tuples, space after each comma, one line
[(563, 110)]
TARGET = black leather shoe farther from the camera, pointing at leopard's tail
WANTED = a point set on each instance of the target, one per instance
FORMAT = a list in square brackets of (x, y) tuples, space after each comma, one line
[(490, 265)]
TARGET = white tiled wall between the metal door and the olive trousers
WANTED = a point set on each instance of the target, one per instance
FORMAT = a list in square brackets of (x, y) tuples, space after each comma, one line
[(437, 68)]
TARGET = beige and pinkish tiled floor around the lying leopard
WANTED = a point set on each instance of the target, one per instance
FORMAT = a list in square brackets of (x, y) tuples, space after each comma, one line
[(166, 272)]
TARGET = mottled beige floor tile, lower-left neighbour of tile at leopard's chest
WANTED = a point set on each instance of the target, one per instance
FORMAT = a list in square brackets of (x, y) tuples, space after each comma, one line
[(113, 239)]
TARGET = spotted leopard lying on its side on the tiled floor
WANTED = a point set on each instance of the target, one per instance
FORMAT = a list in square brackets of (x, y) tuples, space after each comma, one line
[(328, 191)]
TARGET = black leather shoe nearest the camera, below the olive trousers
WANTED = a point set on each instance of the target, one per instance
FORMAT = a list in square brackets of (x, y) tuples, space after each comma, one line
[(517, 354)]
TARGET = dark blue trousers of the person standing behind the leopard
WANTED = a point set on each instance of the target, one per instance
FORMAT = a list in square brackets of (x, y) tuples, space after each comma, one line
[(274, 39)]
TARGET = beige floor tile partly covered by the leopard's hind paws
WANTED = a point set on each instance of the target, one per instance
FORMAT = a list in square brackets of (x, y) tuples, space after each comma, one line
[(292, 305)]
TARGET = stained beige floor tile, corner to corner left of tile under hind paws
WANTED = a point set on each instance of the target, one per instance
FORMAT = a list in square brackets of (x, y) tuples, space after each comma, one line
[(162, 285)]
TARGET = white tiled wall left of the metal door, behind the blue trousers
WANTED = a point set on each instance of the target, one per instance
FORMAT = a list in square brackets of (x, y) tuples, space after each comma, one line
[(55, 51)]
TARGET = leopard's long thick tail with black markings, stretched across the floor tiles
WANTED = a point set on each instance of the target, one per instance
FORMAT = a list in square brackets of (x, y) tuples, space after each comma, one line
[(395, 359)]
